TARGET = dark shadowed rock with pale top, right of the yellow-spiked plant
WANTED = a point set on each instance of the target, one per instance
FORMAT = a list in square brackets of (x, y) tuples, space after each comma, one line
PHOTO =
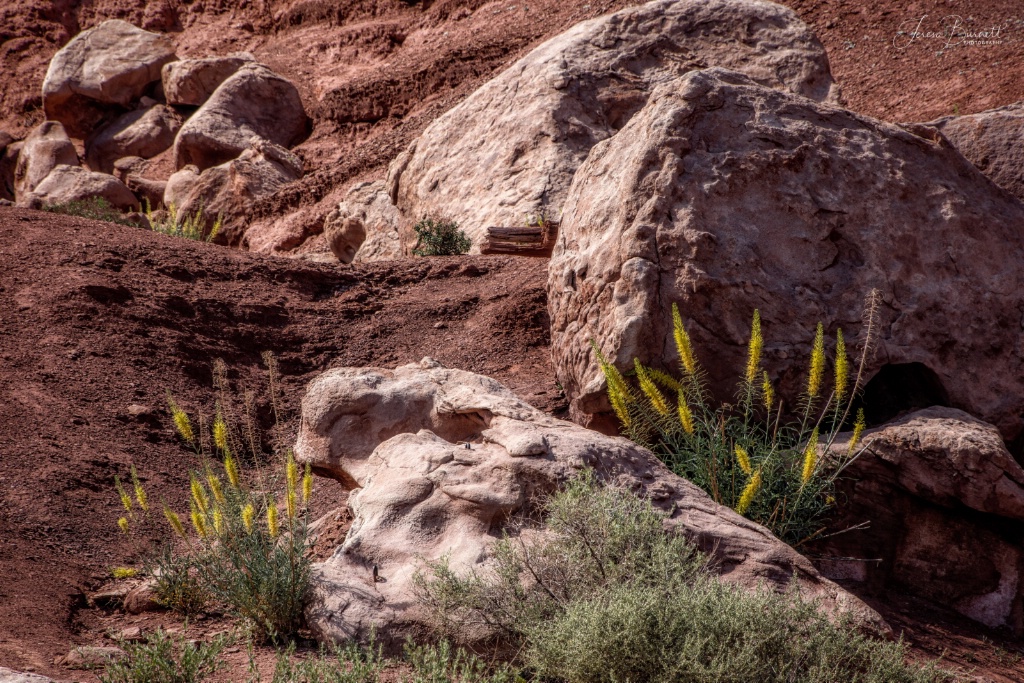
[(945, 501)]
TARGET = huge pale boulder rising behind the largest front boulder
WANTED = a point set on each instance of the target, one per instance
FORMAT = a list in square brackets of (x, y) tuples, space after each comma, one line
[(511, 149)]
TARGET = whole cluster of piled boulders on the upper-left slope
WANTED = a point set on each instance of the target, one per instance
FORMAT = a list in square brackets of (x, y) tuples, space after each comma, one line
[(229, 122)]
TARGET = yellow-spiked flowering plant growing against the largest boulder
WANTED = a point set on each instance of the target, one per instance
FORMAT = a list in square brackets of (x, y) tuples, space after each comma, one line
[(779, 472)]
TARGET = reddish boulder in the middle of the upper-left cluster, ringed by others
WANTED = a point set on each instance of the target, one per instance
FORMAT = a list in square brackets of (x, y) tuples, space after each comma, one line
[(142, 134)]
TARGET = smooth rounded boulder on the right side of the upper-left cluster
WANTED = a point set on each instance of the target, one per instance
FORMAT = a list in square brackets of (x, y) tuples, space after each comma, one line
[(254, 102)]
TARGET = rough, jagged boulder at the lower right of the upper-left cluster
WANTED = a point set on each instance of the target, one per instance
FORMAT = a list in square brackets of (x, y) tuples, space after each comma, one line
[(229, 191)]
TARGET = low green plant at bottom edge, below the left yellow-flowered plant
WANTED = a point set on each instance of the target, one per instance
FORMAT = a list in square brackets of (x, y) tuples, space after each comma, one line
[(164, 659)]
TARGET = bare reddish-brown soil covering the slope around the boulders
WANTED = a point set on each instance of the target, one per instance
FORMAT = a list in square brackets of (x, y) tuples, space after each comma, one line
[(97, 318)]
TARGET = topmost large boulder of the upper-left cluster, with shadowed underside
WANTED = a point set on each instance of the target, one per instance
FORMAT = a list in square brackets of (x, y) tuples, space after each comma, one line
[(109, 66)]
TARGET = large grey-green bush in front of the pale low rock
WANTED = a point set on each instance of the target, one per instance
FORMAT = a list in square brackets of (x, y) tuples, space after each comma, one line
[(607, 595)]
